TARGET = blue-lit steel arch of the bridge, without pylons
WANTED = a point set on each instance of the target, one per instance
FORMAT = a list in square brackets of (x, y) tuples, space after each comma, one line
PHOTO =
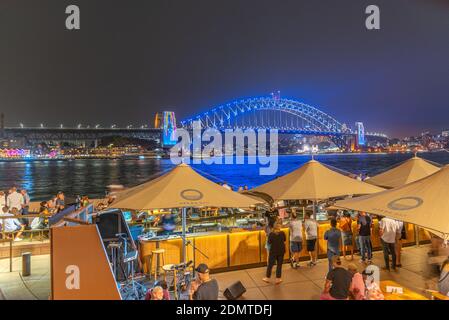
[(264, 113)]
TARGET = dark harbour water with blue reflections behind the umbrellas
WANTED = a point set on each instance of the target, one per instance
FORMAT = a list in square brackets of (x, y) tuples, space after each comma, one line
[(90, 177)]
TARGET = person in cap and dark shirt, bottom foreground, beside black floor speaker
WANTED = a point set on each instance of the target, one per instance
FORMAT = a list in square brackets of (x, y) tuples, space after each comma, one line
[(205, 288)]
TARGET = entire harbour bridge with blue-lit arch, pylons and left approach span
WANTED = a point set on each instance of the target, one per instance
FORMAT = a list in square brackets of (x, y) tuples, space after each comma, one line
[(288, 116)]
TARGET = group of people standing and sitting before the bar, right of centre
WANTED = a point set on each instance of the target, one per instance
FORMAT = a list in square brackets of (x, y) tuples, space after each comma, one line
[(340, 283)]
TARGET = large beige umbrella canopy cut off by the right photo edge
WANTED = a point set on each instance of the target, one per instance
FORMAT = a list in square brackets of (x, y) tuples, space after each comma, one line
[(424, 202)]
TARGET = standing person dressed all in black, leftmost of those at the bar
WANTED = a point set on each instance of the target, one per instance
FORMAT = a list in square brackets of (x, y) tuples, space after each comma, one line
[(276, 242)]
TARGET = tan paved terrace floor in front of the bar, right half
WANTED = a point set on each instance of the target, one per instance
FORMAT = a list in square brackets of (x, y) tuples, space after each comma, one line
[(307, 283)]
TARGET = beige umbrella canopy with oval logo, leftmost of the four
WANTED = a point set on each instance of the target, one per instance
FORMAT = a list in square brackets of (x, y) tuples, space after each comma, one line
[(179, 188)]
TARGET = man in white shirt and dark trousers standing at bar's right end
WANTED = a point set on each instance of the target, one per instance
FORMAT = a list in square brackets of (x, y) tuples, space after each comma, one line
[(388, 230)]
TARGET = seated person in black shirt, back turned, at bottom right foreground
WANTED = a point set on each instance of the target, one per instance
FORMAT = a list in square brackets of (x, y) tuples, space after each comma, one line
[(338, 282)]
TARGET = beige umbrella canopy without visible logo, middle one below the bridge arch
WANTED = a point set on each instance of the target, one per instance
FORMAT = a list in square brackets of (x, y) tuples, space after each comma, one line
[(314, 181)]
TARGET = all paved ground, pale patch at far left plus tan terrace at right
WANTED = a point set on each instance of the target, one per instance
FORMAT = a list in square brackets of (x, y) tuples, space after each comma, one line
[(301, 284)]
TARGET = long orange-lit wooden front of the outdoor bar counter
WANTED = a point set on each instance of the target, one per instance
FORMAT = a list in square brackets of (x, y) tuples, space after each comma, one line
[(245, 249)]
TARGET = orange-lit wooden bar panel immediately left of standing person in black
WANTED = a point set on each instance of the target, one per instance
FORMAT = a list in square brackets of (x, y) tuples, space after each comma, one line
[(244, 248)]
